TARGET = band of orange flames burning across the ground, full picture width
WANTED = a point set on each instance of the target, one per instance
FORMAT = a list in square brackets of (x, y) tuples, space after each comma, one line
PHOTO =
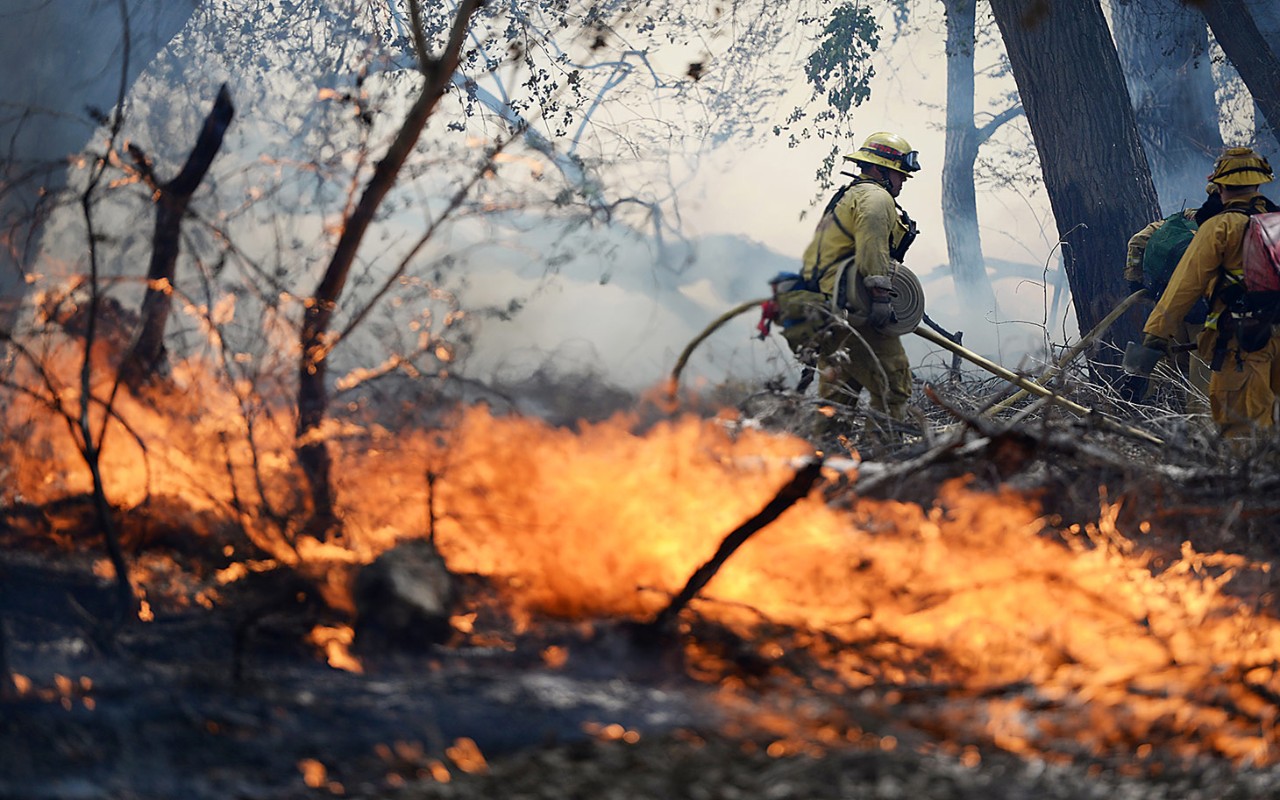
[(977, 595)]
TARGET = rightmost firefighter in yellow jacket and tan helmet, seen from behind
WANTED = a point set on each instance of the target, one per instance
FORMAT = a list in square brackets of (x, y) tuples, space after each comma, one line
[(1238, 340)]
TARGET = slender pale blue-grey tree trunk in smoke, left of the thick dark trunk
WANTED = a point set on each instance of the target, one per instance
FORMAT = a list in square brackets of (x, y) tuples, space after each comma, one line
[(959, 196)]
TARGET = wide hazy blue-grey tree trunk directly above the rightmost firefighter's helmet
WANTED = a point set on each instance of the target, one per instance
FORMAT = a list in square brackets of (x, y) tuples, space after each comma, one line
[(1164, 53)]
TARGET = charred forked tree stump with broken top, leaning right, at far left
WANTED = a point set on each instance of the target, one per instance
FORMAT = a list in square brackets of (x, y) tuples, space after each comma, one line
[(147, 358)]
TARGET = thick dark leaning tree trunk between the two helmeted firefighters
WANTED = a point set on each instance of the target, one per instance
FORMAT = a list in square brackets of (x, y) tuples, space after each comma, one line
[(1099, 184)]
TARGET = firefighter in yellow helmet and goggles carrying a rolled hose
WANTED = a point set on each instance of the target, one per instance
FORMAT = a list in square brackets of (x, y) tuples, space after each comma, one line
[(866, 225)]
